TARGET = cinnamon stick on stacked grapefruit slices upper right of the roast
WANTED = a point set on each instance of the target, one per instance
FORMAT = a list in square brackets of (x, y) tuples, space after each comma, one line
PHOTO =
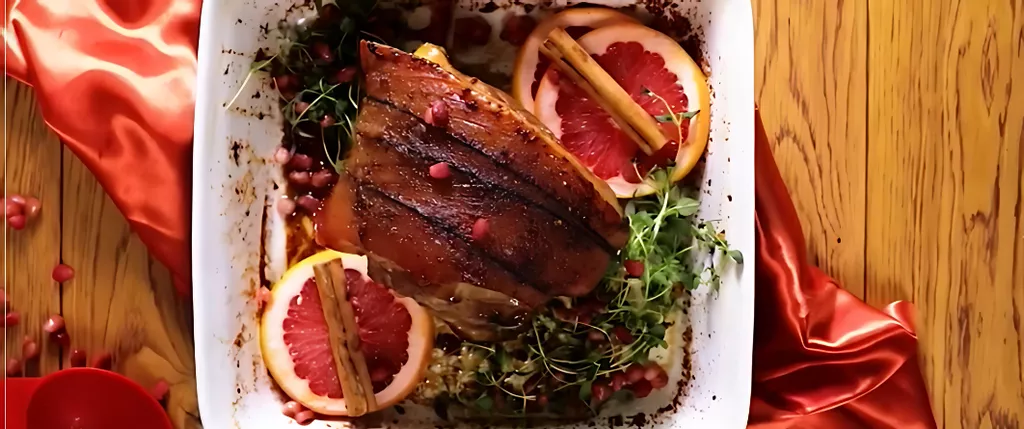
[(619, 103)]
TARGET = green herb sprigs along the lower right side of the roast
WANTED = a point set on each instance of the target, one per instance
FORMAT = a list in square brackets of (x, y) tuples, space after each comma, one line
[(561, 354)]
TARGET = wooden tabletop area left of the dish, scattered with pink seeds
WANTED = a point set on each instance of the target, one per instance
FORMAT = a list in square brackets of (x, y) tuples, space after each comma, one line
[(120, 302)]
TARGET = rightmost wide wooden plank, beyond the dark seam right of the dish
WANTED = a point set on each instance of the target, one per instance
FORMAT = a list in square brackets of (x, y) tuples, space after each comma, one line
[(947, 188)]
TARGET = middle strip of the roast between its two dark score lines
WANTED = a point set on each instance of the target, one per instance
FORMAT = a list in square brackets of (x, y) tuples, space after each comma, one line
[(457, 203)]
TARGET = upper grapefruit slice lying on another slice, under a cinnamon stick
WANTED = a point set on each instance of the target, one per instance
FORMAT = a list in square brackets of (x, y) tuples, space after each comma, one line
[(659, 75)]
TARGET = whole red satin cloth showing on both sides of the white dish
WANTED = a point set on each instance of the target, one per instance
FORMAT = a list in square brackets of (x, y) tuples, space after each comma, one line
[(116, 79)]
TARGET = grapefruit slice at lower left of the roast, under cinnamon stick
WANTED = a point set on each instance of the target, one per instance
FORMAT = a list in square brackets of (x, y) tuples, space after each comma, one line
[(397, 337)]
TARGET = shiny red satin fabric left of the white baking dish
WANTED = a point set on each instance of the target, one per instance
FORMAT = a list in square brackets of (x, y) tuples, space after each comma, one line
[(116, 80)]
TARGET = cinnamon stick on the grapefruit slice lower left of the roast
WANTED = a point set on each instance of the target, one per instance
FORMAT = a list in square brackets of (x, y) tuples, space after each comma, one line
[(344, 332)]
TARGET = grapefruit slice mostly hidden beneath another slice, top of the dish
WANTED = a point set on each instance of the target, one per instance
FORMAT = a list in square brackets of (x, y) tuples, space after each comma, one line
[(530, 65)]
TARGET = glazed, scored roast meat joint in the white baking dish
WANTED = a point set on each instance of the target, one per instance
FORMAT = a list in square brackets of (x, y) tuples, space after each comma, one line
[(514, 221)]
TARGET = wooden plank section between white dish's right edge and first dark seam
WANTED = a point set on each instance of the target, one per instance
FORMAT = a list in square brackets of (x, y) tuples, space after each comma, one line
[(810, 84)]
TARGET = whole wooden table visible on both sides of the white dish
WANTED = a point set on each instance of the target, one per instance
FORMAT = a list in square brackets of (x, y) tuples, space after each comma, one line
[(897, 125)]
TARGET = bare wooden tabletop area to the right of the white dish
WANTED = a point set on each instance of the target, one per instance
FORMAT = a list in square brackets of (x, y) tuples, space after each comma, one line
[(899, 130)]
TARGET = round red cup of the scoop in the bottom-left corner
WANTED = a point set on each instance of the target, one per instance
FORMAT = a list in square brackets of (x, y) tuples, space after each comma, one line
[(92, 399)]
